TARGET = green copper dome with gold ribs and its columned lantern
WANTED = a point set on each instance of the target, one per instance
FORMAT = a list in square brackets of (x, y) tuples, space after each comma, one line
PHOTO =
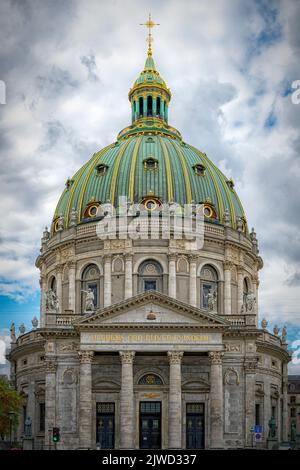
[(149, 159)]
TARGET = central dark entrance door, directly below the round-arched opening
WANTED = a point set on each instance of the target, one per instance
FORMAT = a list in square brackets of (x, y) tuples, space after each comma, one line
[(150, 425)]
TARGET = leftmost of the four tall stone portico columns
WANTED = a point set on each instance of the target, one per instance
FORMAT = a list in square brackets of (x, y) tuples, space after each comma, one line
[(85, 400)]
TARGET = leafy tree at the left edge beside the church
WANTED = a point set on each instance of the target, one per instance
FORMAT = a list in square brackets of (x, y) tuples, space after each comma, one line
[(10, 402)]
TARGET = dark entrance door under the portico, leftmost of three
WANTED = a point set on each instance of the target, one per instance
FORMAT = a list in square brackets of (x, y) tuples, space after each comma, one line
[(105, 425)]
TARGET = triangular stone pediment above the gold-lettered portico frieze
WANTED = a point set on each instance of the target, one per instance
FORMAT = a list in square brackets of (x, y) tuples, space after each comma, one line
[(152, 309)]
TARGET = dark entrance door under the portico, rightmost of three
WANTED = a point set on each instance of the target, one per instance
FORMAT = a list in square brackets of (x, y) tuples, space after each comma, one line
[(195, 426)]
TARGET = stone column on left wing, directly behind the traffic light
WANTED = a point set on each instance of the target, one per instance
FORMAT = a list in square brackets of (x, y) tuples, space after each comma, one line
[(50, 398)]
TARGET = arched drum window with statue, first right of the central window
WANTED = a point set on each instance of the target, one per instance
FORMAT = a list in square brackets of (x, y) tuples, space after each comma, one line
[(209, 288)]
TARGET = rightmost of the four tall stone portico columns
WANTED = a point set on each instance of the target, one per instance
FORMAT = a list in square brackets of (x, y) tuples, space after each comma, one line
[(216, 400)]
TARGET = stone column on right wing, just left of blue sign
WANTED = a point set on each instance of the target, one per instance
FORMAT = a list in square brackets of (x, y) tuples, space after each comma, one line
[(250, 368)]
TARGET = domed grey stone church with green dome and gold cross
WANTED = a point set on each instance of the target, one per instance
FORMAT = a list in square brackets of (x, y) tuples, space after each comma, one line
[(150, 342)]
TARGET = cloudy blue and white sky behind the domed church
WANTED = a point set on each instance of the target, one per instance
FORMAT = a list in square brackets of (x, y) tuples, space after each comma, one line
[(230, 65)]
